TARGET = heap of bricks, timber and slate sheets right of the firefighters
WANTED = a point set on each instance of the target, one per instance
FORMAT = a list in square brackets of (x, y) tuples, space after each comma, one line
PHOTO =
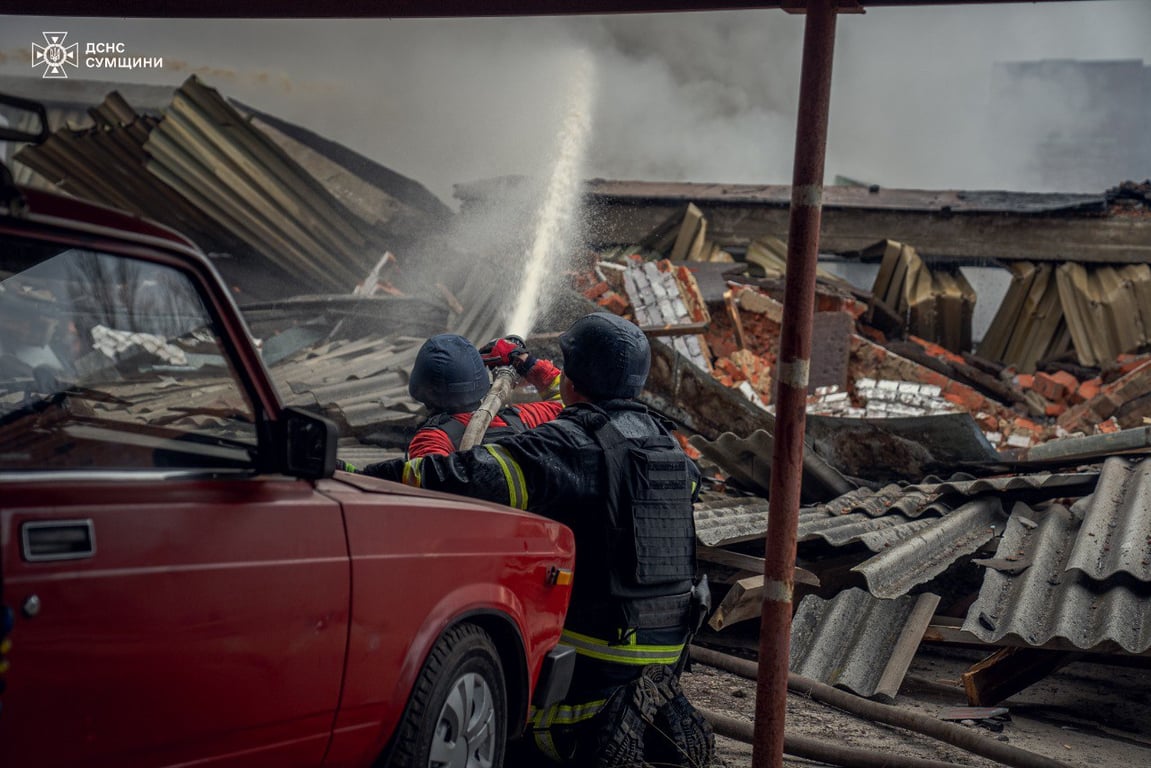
[(978, 501)]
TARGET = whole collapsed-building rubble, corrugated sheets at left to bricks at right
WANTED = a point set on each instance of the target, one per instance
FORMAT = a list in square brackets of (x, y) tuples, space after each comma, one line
[(989, 495)]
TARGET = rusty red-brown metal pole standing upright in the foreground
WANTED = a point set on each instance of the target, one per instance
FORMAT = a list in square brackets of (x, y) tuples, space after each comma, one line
[(792, 378)]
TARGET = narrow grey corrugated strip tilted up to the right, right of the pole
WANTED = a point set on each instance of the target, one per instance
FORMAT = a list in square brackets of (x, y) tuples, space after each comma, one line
[(933, 550)]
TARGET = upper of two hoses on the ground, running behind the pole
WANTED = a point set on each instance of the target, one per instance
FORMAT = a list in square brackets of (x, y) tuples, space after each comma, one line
[(881, 713)]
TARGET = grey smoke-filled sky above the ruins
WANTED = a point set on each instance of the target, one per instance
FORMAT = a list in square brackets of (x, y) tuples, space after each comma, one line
[(699, 97)]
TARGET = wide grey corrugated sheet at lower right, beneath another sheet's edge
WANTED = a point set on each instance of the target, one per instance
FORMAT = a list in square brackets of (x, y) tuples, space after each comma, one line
[(1050, 599)]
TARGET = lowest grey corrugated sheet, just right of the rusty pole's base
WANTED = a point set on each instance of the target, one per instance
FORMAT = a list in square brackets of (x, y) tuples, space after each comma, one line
[(859, 643)]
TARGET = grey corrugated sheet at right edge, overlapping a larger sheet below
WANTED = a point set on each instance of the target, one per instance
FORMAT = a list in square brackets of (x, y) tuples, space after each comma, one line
[(1116, 536)]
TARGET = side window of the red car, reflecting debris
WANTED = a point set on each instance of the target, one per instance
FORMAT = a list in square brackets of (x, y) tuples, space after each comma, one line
[(109, 362)]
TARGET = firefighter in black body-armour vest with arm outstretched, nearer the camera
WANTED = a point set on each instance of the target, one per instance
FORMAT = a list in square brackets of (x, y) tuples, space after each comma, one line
[(612, 472)]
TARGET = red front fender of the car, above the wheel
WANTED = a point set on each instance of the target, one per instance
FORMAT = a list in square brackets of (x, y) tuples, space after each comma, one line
[(422, 564)]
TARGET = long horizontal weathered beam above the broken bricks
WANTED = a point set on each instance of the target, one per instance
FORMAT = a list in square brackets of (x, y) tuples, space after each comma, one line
[(964, 227)]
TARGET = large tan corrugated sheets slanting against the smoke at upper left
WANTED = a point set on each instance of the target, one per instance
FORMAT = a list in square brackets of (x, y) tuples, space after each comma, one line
[(205, 171)]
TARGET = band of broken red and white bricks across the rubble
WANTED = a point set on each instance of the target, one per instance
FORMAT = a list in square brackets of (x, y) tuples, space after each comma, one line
[(1013, 409)]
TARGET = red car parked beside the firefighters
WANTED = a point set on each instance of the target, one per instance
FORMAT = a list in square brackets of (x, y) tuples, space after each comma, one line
[(185, 577)]
